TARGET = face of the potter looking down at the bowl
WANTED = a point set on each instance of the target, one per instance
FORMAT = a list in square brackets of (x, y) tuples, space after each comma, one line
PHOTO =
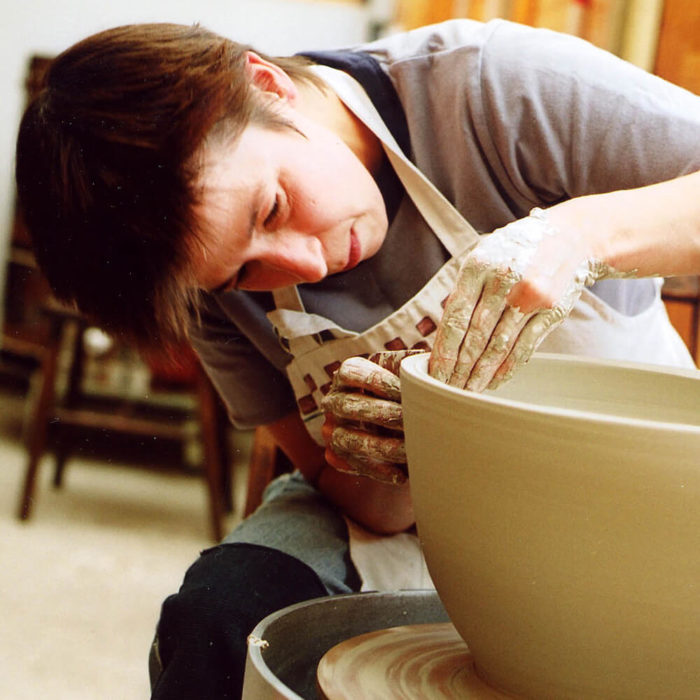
[(282, 207)]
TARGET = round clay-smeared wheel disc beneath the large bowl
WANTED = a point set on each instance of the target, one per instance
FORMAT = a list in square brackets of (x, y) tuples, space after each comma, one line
[(413, 662)]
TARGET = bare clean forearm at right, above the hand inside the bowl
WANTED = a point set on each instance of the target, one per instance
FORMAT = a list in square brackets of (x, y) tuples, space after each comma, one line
[(649, 231)]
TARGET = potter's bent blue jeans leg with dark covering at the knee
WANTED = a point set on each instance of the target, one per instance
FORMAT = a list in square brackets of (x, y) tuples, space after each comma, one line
[(293, 548)]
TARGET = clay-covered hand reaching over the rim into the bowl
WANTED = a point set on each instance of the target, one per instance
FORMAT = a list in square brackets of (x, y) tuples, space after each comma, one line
[(514, 288)]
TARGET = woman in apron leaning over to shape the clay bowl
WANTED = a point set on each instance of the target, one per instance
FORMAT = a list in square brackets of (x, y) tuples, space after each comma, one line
[(329, 211)]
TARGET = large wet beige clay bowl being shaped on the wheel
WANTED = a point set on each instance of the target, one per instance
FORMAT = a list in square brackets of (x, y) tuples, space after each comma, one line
[(560, 518)]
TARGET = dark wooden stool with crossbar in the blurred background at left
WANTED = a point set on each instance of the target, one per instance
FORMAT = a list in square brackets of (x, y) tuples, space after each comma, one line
[(75, 409)]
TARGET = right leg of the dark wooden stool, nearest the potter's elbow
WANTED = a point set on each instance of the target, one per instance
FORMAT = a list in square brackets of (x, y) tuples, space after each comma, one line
[(213, 465)]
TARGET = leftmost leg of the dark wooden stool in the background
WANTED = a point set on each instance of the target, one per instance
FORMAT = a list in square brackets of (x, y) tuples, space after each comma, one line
[(38, 425)]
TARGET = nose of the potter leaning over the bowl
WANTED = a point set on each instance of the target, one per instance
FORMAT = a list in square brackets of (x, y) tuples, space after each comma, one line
[(291, 257)]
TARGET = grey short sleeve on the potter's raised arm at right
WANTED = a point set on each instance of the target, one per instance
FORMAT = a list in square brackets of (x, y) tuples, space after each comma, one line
[(569, 119)]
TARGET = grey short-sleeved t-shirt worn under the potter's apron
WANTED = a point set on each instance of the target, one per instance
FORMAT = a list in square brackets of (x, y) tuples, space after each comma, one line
[(502, 118)]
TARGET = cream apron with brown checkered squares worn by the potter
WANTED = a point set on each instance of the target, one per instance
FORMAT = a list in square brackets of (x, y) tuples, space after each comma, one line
[(395, 562)]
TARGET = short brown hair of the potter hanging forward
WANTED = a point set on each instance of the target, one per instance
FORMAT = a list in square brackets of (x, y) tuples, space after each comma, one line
[(105, 169)]
